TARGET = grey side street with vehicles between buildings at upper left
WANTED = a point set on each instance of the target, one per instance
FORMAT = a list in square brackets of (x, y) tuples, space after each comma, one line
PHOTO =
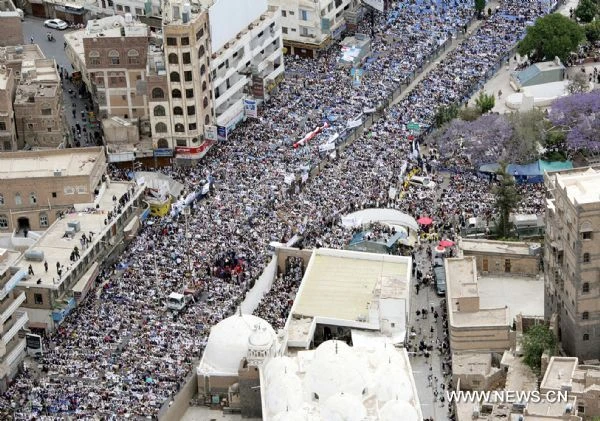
[(34, 28)]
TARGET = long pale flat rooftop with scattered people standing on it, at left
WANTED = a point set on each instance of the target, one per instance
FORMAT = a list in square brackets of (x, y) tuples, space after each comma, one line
[(57, 247)]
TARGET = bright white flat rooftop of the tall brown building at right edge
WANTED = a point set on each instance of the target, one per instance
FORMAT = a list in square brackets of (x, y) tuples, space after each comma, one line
[(580, 184)]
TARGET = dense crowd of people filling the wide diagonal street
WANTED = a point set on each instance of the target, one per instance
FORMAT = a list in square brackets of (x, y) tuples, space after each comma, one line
[(122, 353)]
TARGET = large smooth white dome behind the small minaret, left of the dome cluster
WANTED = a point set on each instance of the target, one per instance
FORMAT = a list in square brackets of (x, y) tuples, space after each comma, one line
[(228, 344)]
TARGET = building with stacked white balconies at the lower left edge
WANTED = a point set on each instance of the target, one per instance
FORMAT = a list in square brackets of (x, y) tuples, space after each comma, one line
[(12, 321)]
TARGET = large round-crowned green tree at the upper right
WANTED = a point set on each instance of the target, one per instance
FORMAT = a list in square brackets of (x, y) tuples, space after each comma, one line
[(552, 36)]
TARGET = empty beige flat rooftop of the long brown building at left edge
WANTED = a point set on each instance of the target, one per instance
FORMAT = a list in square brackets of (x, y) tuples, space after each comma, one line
[(34, 164)]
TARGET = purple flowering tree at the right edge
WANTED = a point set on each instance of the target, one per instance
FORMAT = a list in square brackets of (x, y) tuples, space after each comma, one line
[(579, 117)]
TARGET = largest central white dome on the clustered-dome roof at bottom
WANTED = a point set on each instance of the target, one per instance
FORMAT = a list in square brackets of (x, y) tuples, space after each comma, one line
[(334, 371)]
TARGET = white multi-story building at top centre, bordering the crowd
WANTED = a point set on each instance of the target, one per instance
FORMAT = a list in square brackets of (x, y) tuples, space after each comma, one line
[(311, 25)]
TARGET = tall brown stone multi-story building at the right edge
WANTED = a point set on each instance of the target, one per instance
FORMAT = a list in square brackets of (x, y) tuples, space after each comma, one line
[(572, 260)]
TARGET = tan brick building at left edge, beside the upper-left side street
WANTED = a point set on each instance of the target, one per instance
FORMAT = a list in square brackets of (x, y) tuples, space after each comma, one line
[(38, 102)]
